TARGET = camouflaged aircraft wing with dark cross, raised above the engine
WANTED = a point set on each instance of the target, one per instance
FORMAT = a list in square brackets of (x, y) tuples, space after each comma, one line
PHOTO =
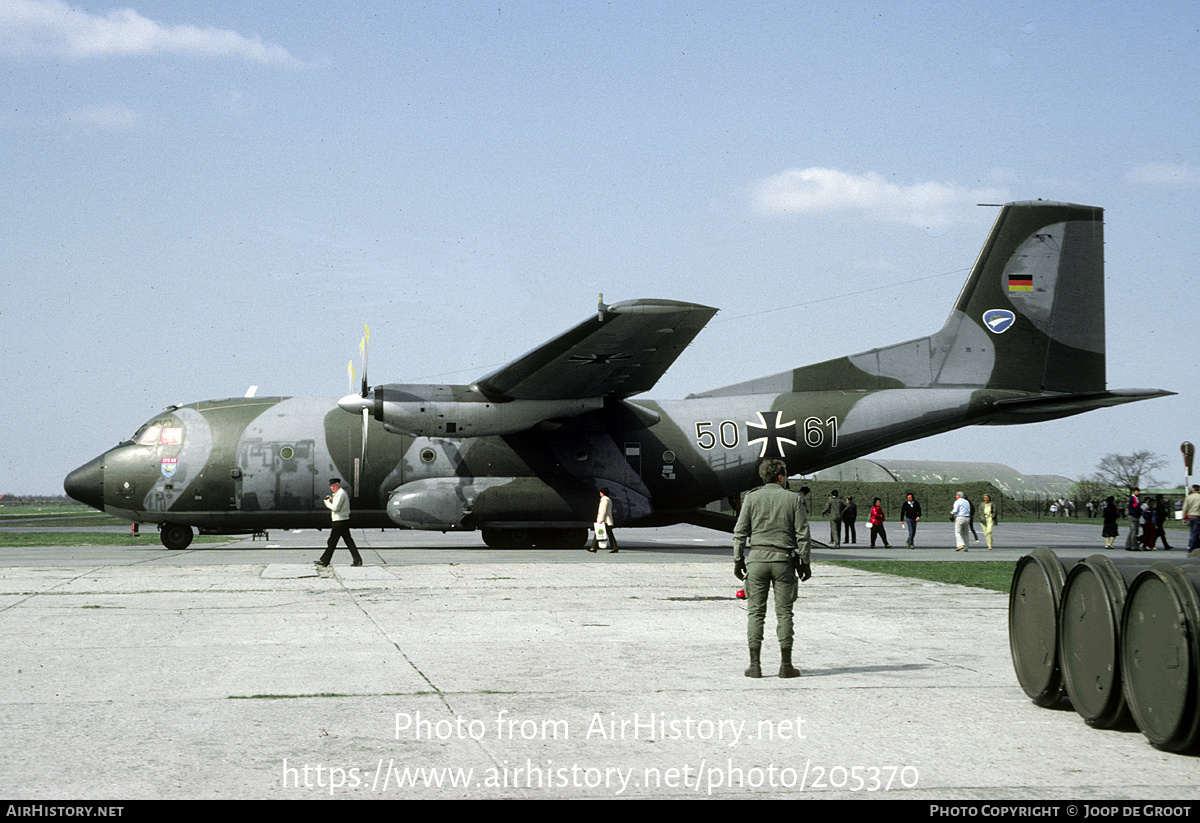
[(622, 352)]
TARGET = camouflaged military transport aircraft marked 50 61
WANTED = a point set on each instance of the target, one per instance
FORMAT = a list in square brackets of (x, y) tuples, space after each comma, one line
[(520, 454)]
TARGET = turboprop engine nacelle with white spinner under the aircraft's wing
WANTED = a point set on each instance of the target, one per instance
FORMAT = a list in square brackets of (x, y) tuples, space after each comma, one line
[(459, 412)]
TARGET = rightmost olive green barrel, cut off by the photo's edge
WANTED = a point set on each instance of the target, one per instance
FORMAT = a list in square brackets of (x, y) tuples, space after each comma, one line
[(1161, 654)]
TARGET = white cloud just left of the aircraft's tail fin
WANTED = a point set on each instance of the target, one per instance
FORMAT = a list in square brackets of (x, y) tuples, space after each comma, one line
[(823, 191)]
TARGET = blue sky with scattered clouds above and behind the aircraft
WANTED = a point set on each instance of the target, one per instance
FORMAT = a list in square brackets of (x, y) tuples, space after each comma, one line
[(200, 197)]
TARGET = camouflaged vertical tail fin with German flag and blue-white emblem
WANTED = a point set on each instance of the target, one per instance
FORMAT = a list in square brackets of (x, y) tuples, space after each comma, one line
[(1030, 319)]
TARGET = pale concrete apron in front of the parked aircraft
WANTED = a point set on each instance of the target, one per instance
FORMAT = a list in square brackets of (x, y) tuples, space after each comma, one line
[(526, 681)]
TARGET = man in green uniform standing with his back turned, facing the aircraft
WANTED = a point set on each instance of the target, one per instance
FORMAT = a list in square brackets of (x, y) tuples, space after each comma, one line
[(775, 522)]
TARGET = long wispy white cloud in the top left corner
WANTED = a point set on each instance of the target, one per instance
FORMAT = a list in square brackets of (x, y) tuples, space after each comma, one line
[(52, 28)]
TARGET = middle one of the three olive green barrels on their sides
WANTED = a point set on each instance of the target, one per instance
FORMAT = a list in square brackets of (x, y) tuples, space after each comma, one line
[(1090, 612)]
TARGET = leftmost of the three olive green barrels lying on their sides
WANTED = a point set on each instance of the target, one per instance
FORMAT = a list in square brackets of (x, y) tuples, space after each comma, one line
[(1034, 624)]
